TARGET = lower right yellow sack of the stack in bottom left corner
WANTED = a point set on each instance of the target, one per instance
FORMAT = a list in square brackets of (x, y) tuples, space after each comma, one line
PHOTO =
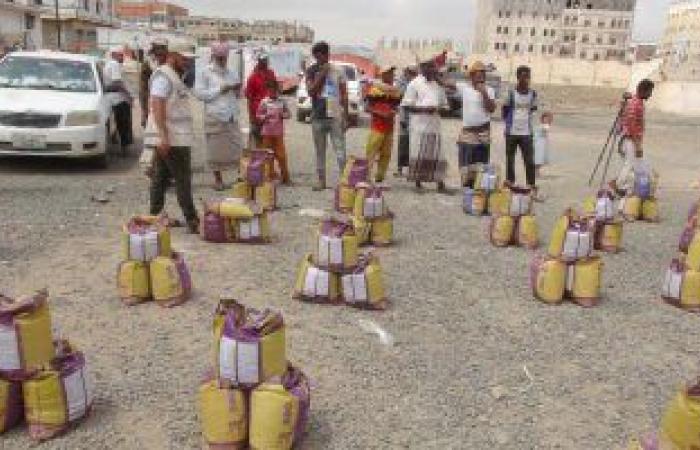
[(56, 398)]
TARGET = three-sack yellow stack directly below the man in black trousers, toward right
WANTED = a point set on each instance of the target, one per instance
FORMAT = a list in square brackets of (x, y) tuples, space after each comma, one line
[(570, 270)]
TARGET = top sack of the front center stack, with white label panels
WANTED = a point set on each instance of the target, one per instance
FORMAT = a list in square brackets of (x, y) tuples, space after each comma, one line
[(250, 346)]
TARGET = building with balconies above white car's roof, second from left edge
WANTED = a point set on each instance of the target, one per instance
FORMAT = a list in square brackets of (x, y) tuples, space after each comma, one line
[(71, 25)]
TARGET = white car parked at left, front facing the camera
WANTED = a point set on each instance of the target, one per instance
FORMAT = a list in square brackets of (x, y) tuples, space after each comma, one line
[(54, 104)]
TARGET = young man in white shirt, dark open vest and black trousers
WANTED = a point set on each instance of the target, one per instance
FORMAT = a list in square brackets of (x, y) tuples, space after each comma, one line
[(517, 113)]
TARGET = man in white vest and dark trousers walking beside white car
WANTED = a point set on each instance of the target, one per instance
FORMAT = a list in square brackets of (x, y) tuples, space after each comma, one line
[(169, 131)]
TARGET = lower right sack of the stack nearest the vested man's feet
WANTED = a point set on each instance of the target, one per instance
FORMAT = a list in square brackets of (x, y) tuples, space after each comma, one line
[(171, 284)]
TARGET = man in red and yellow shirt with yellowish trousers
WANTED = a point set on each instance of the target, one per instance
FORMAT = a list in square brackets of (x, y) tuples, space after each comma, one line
[(383, 100)]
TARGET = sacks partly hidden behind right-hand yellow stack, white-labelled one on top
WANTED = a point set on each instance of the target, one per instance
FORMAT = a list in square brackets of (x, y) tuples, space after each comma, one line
[(608, 228)]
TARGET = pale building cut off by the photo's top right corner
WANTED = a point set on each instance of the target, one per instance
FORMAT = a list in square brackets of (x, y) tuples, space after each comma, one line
[(680, 45)]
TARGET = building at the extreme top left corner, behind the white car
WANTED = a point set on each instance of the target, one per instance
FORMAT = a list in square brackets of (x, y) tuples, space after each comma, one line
[(20, 24)]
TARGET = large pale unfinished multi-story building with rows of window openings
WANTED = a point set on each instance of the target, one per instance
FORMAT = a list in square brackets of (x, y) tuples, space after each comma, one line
[(583, 29)]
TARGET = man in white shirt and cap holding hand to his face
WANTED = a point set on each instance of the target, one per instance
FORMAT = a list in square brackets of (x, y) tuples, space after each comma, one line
[(474, 142)]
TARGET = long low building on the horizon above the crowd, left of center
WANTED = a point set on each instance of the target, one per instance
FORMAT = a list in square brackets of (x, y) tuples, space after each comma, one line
[(208, 29)]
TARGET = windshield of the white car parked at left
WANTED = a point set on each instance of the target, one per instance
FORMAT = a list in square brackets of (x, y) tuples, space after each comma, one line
[(47, 74)]
